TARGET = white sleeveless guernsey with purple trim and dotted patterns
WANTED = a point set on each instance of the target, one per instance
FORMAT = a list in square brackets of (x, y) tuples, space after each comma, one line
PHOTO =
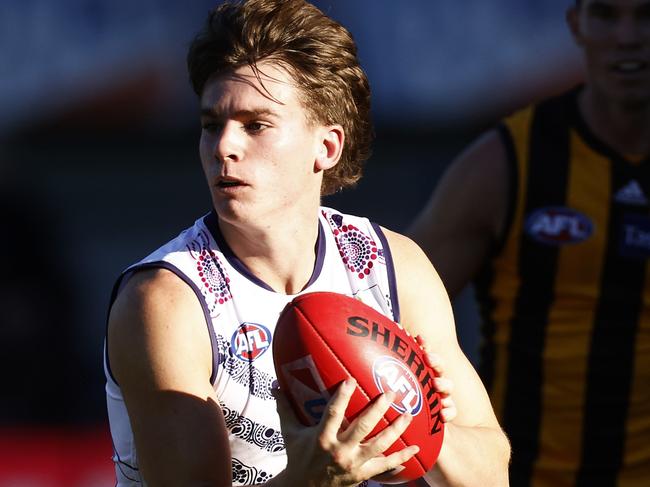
[(353, 258)]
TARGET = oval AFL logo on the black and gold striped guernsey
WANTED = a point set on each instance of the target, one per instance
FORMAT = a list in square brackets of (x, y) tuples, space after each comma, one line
[(557, 225)]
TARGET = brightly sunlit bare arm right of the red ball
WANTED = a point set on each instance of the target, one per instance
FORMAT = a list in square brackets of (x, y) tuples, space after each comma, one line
[(475, 451)]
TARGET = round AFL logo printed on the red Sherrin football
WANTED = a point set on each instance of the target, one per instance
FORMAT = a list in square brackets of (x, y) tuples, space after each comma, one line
[(392, 375)]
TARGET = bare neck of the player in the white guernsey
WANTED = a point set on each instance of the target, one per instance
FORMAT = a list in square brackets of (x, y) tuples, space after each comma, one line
[(282, 254)]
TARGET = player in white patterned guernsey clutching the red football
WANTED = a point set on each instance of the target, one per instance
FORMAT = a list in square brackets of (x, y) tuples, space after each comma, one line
[(285, 118)]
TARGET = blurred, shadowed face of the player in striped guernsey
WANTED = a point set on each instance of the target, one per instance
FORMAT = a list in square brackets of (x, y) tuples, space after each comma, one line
[(615, 37)]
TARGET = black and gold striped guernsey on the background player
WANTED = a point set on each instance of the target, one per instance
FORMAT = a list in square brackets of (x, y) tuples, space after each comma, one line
[(566, 305)]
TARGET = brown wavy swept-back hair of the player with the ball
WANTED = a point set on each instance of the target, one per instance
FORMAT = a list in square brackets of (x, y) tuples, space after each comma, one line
[(318, 52)]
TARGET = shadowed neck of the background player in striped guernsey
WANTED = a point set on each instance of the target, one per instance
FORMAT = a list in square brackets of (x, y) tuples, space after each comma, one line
[(625, 129)]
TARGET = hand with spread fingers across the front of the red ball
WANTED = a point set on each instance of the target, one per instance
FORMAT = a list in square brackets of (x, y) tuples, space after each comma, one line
[(334, 453)]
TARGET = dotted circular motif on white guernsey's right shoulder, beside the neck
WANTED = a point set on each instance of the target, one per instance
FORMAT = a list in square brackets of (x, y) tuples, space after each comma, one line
[(358, 250)]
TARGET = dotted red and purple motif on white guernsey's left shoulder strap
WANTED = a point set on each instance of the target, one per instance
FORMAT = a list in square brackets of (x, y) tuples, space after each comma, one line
[(215, 283)]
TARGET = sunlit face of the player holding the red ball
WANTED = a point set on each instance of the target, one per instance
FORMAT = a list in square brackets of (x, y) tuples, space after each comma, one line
[(258, 148)]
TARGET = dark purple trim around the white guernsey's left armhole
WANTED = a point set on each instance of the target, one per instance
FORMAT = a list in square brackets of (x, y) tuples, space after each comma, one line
[(160, 264)]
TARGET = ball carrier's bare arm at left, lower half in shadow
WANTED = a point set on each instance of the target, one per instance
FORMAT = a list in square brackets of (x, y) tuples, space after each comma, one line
[(160, 354)]
